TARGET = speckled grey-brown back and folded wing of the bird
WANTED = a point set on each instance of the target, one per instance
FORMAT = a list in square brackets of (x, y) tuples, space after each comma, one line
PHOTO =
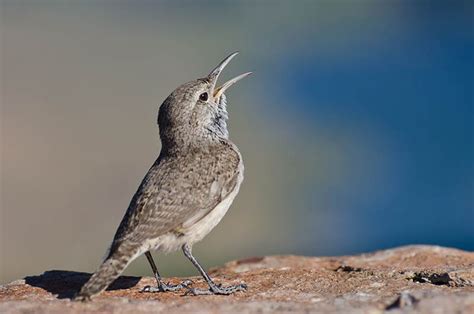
[(177, 191)]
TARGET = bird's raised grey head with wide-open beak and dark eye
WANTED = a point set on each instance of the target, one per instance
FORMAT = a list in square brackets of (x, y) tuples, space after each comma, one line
[(196, 111)]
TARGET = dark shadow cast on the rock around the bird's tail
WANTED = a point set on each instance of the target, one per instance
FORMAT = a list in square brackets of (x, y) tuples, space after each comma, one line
[(65, 284)]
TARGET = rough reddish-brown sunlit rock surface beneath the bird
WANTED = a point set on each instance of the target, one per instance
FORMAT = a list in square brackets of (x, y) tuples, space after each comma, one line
[(418, 279)]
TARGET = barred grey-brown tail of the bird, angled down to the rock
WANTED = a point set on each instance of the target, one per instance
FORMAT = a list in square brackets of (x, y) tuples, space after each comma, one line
[(108, 271)]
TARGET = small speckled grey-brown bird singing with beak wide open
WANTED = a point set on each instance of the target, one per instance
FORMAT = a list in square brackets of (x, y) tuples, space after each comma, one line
[(185, 193)]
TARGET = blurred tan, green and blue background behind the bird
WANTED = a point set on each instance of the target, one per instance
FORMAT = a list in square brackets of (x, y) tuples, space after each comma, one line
[(356, 128)]
